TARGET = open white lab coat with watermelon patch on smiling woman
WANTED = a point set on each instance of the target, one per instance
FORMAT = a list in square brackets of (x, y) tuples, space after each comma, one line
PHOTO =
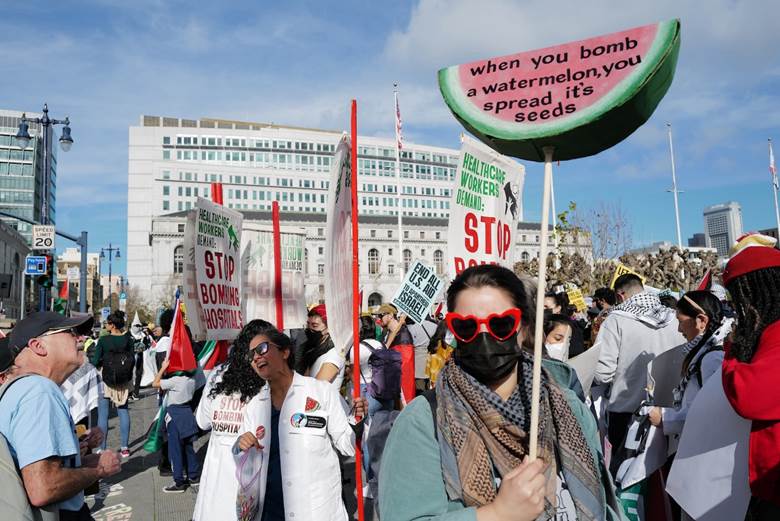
[(311, 475)]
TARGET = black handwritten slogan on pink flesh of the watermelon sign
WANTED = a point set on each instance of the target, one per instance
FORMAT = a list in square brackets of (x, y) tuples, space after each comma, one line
[(572, 68)]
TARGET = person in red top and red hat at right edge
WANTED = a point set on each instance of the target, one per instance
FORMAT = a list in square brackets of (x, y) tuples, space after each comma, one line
[(751, 366)]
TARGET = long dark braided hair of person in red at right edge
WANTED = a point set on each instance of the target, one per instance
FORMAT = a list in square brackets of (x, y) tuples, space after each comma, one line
[(756, 299)]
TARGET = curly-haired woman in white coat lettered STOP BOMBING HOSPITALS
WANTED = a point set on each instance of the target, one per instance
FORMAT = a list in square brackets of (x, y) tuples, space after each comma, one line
[(221, 410)]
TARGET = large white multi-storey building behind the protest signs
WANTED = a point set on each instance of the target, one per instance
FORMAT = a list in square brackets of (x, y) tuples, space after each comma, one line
[(173, 161)]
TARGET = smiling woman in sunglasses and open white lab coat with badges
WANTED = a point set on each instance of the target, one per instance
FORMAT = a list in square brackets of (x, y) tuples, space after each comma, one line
[(298, 424)]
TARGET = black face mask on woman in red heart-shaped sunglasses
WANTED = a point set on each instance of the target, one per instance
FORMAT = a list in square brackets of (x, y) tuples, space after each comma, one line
[(487, 359)]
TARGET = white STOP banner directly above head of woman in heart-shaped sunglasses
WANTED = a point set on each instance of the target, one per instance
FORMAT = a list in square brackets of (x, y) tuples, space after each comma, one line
[(485, 207)]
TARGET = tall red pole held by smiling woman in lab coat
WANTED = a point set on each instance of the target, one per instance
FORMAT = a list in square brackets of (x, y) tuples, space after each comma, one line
[(356, 311)]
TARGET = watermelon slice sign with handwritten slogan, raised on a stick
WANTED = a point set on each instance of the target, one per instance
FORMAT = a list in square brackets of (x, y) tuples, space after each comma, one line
[(580, 97)]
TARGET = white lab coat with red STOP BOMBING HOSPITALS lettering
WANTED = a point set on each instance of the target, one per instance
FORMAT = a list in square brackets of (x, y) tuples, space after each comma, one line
[(224, 415)]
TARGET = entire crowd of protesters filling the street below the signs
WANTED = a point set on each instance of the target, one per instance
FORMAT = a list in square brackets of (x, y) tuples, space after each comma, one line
[(444, 406)]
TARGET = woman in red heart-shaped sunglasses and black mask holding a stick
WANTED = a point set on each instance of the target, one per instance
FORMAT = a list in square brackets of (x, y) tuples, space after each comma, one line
[(467, 440)]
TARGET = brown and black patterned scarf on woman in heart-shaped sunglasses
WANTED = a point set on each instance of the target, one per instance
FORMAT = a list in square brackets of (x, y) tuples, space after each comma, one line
[(481, 435)]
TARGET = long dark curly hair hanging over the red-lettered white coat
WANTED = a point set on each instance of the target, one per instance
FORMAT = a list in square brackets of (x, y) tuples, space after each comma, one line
[(237, 374)]
